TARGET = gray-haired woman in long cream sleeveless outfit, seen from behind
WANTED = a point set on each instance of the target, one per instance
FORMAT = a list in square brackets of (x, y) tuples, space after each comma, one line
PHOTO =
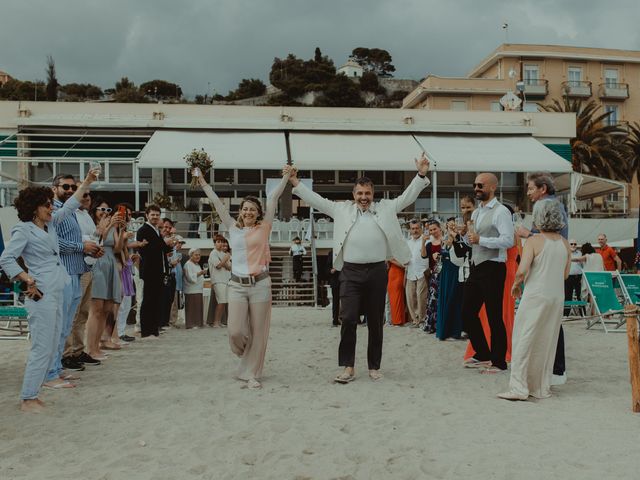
[(544, 266)]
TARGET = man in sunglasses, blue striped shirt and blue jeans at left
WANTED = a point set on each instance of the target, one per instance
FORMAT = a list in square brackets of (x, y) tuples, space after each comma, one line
[(72, 252)]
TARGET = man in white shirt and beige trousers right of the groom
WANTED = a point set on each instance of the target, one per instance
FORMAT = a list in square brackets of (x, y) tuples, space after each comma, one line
[(416, 286)]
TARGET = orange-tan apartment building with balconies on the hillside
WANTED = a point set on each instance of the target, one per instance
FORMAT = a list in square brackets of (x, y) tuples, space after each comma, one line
[(546, 72)]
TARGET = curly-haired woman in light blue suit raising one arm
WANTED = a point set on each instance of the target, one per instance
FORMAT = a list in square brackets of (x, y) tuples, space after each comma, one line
[(36, 241)]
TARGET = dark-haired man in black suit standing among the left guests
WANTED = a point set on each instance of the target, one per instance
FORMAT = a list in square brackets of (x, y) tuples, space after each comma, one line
[(154, 271)]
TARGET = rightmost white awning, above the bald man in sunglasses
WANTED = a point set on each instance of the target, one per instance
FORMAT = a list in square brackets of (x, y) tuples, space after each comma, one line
[(498, 153)]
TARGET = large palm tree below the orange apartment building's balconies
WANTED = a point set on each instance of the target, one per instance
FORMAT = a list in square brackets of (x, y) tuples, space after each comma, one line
[(599, 148)]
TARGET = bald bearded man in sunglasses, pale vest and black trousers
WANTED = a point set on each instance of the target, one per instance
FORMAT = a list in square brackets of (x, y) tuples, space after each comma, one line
[(490, 237)]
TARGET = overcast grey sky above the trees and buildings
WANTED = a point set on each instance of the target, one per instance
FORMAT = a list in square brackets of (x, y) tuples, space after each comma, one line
[(197, 43)]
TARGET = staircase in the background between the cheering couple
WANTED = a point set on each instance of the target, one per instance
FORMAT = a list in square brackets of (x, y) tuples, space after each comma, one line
[(285, 291)]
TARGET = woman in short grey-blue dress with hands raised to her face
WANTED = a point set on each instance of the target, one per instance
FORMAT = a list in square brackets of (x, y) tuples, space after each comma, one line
[(106, 287)]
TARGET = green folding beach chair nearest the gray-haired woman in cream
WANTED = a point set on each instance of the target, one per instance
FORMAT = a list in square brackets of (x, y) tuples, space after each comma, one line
[(606, 307)]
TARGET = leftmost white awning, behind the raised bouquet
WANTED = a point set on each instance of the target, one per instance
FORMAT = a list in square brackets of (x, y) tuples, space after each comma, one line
[(244, 150)]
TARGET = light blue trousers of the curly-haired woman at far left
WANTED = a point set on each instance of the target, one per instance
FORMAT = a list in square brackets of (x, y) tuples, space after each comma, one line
[(45, 323)]
